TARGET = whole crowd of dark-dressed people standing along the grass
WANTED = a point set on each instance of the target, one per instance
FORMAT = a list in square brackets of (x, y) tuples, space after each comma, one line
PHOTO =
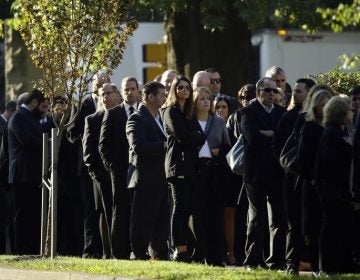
[(142, 173)]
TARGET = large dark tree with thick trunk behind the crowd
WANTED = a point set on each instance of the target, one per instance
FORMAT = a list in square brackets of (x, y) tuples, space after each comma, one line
[(217, 33)]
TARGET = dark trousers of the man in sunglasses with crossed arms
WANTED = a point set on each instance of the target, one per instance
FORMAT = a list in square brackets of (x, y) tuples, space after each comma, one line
[(259, 195)]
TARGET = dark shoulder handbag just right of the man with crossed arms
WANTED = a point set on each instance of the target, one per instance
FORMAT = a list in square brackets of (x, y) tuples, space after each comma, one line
[(289, 155)]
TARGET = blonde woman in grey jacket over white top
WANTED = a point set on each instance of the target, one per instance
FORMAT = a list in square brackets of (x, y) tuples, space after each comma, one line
[(208, 204)]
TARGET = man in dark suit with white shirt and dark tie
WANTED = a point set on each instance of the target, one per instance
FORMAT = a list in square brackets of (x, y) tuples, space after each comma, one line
[(114, 151)]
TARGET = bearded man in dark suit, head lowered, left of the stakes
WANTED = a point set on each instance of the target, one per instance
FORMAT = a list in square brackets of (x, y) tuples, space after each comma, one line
[(25, 146)]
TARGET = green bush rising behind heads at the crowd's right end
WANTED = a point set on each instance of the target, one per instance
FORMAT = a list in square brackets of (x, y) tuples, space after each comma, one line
[(340, 81)]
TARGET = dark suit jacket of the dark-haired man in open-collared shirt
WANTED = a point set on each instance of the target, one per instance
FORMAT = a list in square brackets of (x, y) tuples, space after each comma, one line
[(147, 143)]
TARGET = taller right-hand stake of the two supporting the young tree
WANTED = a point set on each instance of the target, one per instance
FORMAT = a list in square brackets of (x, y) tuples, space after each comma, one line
[(54, 158)]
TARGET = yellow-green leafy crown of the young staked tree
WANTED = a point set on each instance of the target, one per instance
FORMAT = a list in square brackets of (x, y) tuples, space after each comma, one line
[(72, 39)]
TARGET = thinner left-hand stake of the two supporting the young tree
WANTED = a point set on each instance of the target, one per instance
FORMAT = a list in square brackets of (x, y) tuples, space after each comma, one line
[(44, 194)]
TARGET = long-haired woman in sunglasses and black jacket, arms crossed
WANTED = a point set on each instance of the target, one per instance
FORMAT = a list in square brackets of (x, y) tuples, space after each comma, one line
[(184, 138)]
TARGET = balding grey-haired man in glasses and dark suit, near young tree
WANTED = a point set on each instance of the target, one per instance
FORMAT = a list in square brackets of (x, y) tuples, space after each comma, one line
[(110, 97)]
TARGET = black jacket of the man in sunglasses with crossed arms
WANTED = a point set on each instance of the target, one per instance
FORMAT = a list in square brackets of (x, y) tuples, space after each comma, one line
[(261, 162)]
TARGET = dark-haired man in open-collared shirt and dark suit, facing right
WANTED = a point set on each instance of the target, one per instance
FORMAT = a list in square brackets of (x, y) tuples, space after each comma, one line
[(149, 220)]
